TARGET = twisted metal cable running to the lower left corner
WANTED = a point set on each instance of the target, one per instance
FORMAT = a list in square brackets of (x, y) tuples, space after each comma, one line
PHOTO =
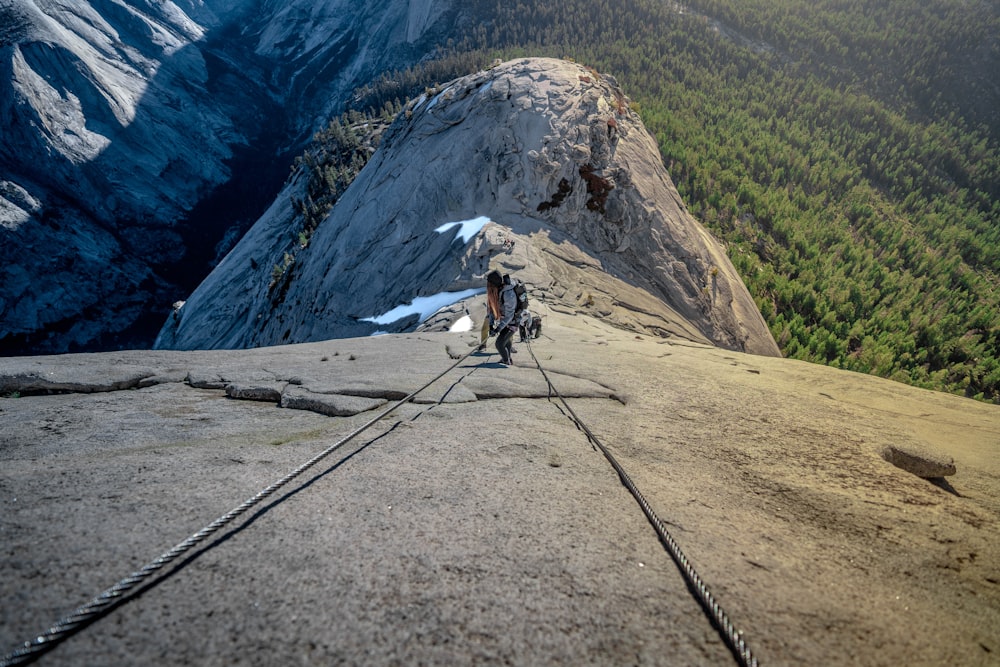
[(68, 625)]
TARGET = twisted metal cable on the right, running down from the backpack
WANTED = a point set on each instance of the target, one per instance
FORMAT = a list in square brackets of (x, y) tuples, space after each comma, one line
[(729, 633)]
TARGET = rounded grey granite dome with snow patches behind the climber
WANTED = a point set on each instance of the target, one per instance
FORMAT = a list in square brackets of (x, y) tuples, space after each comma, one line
[(536, 166)]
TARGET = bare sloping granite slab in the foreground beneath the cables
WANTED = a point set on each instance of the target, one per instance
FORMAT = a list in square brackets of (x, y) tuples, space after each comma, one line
[(491, 531)]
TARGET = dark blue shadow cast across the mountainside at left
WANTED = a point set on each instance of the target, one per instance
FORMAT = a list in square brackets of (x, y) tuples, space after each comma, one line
[(125, 235)]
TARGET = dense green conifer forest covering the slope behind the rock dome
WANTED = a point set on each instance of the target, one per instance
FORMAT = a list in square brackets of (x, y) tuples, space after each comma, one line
[(846, 152)]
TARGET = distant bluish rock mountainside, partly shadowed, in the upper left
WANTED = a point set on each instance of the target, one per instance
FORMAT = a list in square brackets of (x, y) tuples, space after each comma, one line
[(141, 139)]
